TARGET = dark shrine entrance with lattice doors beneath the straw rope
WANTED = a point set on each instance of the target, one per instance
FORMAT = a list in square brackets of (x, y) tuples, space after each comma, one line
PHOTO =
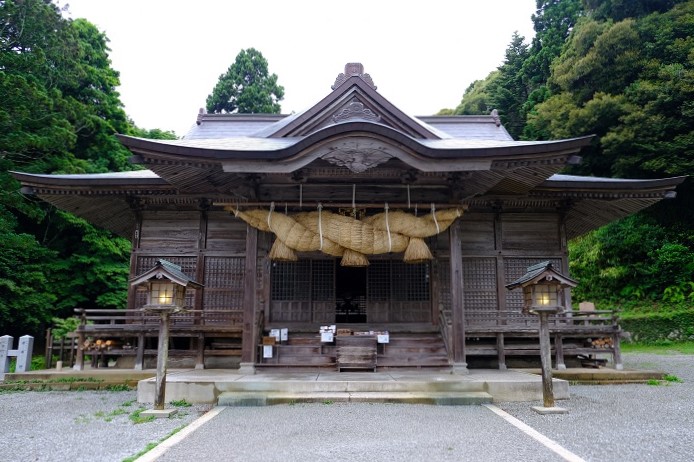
[(320, 291)]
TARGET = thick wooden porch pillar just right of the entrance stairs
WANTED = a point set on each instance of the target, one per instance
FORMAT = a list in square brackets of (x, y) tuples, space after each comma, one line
[(457, 302)]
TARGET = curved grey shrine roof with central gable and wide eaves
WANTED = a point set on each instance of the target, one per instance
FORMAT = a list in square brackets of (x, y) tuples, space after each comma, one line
[(352, 140)]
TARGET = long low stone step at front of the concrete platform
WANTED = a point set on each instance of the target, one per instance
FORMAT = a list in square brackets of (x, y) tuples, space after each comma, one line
[(406, 397)]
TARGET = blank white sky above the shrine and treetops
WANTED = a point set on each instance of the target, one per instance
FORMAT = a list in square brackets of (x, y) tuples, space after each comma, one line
[(421, 55)]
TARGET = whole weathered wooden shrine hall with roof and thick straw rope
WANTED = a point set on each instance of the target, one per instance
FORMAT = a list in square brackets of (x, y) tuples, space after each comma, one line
[(355, 215)]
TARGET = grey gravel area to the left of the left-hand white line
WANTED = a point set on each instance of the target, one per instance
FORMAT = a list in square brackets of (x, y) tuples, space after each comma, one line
[(79, 425)]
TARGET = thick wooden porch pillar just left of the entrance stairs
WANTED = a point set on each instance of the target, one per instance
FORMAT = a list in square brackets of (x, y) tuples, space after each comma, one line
[(249, 340)]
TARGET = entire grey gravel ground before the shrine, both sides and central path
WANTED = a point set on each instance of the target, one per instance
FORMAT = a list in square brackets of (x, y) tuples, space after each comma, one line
[(607, 422)]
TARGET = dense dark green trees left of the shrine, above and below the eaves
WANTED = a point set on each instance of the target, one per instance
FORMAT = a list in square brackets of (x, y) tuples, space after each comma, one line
[(59, 112)]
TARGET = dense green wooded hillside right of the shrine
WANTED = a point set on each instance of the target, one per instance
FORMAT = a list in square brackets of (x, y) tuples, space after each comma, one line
[(623, 71)]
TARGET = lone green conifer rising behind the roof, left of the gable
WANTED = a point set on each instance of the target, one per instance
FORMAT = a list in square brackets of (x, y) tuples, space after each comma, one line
[(246, 87)]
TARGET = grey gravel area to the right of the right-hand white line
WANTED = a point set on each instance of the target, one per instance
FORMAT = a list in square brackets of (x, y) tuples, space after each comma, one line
[(636, 422)]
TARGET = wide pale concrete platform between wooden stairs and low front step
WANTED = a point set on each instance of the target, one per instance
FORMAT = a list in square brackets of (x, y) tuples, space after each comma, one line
[(207, 386)]
